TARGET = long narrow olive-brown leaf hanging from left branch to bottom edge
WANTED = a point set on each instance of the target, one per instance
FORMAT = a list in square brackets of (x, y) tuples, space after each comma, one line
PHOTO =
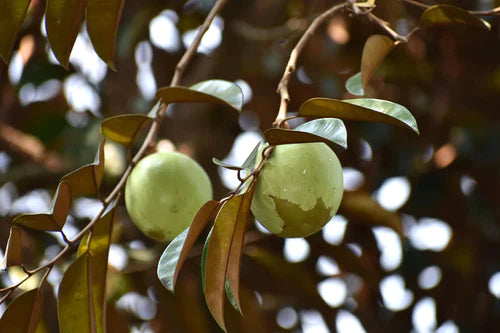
[(98, 248)]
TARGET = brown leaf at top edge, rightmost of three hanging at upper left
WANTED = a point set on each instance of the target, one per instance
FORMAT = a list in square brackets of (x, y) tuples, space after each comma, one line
[(103, 18)]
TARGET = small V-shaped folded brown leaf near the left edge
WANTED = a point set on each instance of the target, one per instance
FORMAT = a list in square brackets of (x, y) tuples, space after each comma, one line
[(55, 218)]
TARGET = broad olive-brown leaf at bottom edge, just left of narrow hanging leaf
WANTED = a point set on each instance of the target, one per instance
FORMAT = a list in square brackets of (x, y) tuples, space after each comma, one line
[(75, 306)]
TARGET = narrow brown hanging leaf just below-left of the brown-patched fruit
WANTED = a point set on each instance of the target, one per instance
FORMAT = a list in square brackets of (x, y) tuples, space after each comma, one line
[(236, 251)]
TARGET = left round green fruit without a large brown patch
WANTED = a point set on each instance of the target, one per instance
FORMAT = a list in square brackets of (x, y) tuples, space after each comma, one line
[(164, 192)]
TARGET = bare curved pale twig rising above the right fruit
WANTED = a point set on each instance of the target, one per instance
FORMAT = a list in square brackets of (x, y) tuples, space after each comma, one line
[(292, 62)]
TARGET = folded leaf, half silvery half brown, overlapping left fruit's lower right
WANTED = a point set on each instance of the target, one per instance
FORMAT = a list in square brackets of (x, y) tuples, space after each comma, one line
[(176, 253)]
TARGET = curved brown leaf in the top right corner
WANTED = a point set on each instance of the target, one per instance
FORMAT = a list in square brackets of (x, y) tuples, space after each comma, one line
[(446, 14)]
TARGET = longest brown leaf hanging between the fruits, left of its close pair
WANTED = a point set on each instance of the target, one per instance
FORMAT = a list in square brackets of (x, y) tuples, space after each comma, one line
[(218, 256)]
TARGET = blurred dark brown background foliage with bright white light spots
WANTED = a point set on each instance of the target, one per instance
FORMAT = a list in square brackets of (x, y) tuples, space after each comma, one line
[(442, 276)]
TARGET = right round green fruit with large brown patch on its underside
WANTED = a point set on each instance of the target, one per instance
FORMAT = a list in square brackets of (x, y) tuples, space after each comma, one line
[(298, 190)]
